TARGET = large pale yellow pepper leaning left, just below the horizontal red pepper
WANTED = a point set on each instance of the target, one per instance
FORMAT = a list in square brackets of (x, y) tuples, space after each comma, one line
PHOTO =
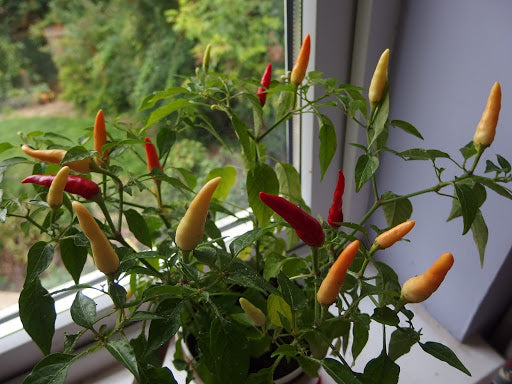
[(104, 256)]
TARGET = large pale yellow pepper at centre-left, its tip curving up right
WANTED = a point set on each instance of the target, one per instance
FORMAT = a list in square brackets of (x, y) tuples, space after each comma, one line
[(190, 230)]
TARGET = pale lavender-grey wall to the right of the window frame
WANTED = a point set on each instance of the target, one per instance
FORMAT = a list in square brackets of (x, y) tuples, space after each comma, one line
[(446, 57)]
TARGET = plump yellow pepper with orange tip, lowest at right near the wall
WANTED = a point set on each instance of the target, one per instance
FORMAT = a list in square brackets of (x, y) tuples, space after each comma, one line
[(419, 288)]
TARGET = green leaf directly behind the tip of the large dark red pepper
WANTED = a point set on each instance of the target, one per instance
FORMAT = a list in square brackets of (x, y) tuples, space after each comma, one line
[(261, 178)]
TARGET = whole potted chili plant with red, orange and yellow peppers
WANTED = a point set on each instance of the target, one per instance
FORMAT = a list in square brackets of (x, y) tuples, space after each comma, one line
[(243, 308)]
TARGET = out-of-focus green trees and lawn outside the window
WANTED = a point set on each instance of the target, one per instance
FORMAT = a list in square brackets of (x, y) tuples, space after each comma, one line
[(62, 61)]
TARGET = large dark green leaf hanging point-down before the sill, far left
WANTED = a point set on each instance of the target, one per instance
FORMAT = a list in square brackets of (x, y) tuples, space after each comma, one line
[(37, 314)]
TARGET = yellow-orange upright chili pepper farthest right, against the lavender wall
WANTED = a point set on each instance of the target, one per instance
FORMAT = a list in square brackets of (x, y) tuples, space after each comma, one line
[(486, 129)]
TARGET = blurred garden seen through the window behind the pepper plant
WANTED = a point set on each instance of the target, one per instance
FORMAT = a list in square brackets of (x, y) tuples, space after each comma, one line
[(64, 61)]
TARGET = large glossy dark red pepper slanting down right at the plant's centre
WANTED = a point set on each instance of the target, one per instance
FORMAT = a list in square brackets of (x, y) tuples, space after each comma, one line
[(306, 226)]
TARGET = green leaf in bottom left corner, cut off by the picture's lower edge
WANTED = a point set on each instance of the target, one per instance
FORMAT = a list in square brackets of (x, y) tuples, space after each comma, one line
[(52, 369)]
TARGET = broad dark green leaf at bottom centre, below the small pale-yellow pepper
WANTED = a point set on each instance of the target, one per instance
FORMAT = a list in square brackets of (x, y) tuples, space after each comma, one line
[(230, 352)]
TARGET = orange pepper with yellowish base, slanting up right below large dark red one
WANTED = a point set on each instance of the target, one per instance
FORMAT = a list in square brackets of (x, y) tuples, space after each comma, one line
[(331, 284)]
